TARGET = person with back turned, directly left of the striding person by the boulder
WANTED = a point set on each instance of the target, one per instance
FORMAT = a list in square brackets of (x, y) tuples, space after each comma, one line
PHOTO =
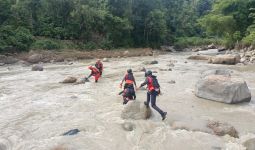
[(129, 80)]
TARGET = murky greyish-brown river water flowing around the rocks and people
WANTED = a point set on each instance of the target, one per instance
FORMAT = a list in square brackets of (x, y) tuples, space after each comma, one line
[(35, 109)]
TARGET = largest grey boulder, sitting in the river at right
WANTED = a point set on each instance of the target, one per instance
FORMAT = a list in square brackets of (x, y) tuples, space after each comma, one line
[(222, 87)]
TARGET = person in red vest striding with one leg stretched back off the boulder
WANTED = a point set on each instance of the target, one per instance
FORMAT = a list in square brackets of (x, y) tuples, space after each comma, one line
[(153, 91)]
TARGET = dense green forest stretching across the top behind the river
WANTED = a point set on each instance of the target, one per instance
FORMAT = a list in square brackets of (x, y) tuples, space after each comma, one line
[(106, 24)]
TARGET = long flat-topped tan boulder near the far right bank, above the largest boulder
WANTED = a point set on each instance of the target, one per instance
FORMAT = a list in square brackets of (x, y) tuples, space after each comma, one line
[(225, 59)]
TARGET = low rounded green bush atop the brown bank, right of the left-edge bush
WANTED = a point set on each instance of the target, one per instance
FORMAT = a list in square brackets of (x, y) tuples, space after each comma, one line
[(46, 44)]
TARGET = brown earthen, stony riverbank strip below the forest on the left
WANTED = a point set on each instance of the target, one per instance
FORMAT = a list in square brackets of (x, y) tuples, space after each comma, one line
[(34, 57)]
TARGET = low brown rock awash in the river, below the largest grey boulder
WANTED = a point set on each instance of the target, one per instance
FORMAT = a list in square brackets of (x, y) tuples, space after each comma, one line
[(222, 129)]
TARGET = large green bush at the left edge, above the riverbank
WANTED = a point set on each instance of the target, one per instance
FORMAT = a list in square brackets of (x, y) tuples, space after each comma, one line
[(19, 39)]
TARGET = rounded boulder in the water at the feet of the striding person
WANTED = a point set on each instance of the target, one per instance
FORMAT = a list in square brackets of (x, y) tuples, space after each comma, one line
[(136, 110)]
